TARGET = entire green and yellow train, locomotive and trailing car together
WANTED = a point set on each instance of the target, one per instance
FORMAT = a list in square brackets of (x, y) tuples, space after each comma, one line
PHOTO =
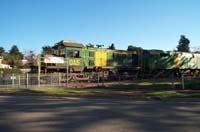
[(75, 59)]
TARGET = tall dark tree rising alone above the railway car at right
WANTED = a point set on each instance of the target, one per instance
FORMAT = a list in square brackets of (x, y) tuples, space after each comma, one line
[(183, 44)]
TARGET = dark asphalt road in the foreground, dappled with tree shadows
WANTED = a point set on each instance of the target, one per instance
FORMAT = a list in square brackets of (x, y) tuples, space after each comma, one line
[(71, 114)]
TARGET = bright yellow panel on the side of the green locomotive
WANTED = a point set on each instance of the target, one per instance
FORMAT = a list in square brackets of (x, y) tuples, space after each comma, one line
[(100, 58)]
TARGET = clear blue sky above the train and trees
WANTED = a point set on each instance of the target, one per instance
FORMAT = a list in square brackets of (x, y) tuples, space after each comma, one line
[(150, 24)]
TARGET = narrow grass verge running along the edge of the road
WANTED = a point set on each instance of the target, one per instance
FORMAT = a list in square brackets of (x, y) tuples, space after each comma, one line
[(113, 93)]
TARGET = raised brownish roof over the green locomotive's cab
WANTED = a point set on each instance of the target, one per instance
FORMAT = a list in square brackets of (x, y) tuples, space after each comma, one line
[(68, 43)]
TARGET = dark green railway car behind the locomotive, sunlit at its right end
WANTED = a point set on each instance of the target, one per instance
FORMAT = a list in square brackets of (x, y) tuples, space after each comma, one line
[(160, 63)]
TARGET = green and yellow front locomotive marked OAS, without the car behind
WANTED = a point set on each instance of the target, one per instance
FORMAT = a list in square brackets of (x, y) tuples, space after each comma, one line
[(79, 59)]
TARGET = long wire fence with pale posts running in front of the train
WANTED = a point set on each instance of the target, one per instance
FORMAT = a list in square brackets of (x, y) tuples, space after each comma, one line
[(87, 80)]
